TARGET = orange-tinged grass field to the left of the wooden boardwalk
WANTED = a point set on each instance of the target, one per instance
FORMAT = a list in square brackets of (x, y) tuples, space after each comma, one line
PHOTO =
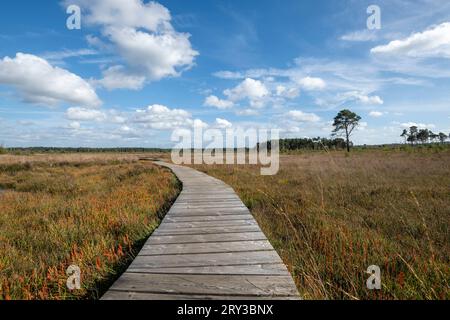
[(93, 211)]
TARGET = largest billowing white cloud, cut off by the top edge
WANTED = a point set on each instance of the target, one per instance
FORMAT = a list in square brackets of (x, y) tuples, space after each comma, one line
[(142, 34)]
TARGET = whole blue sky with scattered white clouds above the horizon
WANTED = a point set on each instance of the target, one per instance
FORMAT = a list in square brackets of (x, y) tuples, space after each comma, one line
[(138, 71)]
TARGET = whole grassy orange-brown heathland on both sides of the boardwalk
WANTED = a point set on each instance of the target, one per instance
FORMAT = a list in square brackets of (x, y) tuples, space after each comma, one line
[(330, 215)]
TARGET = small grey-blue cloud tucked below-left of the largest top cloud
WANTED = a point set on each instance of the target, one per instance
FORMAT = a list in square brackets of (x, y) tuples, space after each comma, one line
[(115, 77)]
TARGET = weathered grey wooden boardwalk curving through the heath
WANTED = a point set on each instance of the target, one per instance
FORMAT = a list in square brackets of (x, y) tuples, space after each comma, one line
[(207, 247)]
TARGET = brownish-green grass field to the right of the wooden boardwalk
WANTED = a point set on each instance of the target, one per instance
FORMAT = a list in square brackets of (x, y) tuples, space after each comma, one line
[(330, 216)]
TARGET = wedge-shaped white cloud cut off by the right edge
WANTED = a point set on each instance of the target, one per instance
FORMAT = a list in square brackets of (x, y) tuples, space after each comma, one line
[(434, 42)]
